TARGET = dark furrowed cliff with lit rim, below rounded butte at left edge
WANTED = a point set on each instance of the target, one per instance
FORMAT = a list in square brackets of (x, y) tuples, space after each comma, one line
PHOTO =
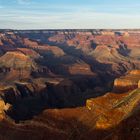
[(21, 90)]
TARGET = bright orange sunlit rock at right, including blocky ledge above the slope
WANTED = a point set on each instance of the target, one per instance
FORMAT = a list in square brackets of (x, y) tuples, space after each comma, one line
[(115, 107)]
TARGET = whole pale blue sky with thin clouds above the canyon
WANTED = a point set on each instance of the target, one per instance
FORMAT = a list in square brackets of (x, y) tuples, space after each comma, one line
[(69, 14)]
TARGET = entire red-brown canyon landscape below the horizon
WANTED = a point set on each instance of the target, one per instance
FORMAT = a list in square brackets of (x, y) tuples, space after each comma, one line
[(70, 84)]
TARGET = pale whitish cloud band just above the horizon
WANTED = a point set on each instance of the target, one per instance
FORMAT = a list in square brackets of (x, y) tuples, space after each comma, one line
[(70, 20)]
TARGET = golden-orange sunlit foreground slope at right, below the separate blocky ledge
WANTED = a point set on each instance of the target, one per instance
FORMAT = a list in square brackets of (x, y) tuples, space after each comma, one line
[(111, 105)]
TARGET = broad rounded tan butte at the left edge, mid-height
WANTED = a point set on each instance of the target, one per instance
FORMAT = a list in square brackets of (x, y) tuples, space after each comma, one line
[(15, 65)]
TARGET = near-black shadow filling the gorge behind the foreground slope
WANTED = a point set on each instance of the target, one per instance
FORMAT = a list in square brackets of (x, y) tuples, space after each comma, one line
[(69, 93)]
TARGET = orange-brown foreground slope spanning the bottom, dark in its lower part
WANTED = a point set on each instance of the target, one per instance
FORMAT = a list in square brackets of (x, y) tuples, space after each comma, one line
[(108, 116)]
